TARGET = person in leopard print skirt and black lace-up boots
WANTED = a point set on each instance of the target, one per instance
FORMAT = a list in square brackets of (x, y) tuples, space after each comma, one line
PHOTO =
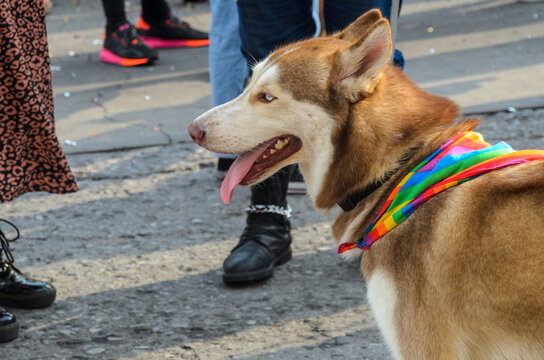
[(34, 153)]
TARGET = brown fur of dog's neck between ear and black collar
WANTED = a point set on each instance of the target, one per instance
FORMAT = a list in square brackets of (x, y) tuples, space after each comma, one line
[(377, 132)]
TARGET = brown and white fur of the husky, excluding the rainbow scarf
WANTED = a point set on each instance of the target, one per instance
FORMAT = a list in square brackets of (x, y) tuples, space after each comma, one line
[(465, 272)]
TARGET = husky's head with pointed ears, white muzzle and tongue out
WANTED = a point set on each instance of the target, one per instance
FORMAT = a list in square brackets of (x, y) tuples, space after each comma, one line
[(296, 106)]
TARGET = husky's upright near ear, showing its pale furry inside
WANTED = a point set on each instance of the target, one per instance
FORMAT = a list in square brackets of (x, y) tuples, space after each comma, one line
[(358, 67)]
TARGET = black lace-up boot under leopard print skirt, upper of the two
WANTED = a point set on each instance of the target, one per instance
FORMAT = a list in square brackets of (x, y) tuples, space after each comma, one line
[(15, 289)]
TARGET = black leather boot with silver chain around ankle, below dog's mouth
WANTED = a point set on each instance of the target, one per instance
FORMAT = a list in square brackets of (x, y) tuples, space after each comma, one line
[(266, 239)]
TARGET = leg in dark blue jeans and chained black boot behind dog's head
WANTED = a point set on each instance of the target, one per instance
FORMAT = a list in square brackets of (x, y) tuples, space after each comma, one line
[(266, 239)]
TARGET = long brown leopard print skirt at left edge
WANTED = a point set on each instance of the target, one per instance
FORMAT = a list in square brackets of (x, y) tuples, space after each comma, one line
[(31, 158)]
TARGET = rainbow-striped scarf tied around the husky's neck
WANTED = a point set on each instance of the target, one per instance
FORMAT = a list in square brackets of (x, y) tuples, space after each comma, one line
[(462, 158)]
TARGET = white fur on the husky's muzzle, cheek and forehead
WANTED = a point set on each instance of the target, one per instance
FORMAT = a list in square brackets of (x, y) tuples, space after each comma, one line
[(244, 123)]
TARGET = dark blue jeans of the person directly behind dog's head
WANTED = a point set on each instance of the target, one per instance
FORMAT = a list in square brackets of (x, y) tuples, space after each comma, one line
[(265, 25)]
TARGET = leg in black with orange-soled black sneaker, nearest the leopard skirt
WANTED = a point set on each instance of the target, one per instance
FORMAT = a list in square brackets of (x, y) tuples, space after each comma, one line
[(122, 46)]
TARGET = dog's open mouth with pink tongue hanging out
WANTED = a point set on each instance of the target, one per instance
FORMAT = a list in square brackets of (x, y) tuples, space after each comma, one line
[(251, 165)]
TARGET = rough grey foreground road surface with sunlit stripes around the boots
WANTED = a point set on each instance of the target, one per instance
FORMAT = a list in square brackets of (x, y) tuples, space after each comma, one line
[(136, 257)]
